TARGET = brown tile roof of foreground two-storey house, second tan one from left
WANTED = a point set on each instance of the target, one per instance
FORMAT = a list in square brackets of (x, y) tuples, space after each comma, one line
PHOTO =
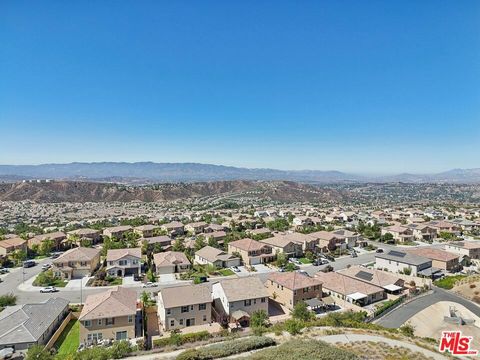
[(185, 295)]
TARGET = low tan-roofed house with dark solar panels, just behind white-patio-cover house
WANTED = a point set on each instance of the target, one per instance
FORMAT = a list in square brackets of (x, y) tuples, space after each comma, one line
[(389, 282)]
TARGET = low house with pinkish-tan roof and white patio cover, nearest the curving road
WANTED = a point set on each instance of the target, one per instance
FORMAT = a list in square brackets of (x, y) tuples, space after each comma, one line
[(350, 289)]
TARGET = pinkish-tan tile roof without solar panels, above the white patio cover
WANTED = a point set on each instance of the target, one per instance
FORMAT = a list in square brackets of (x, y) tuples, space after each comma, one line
[(345, 285)]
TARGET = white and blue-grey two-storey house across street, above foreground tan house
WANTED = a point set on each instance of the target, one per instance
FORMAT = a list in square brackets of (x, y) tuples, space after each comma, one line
[(124, 262)]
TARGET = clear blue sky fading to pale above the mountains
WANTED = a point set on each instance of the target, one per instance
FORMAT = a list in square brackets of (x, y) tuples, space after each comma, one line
[(359, 86)]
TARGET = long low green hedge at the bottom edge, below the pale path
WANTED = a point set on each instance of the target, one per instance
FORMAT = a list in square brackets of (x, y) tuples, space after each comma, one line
[(227, 348)]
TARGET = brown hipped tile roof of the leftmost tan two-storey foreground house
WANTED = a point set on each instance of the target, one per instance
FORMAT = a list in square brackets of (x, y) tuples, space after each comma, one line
[(118, 301)]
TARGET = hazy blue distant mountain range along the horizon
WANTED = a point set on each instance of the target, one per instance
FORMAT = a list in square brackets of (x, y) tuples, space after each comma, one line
[(150, 172)]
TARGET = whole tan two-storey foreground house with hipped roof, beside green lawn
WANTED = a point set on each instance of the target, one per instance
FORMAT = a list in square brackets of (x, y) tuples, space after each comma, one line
[(109, 315)]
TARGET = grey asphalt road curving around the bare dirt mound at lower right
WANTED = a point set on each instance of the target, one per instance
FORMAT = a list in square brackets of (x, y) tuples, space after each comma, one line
[(399, 316)]
